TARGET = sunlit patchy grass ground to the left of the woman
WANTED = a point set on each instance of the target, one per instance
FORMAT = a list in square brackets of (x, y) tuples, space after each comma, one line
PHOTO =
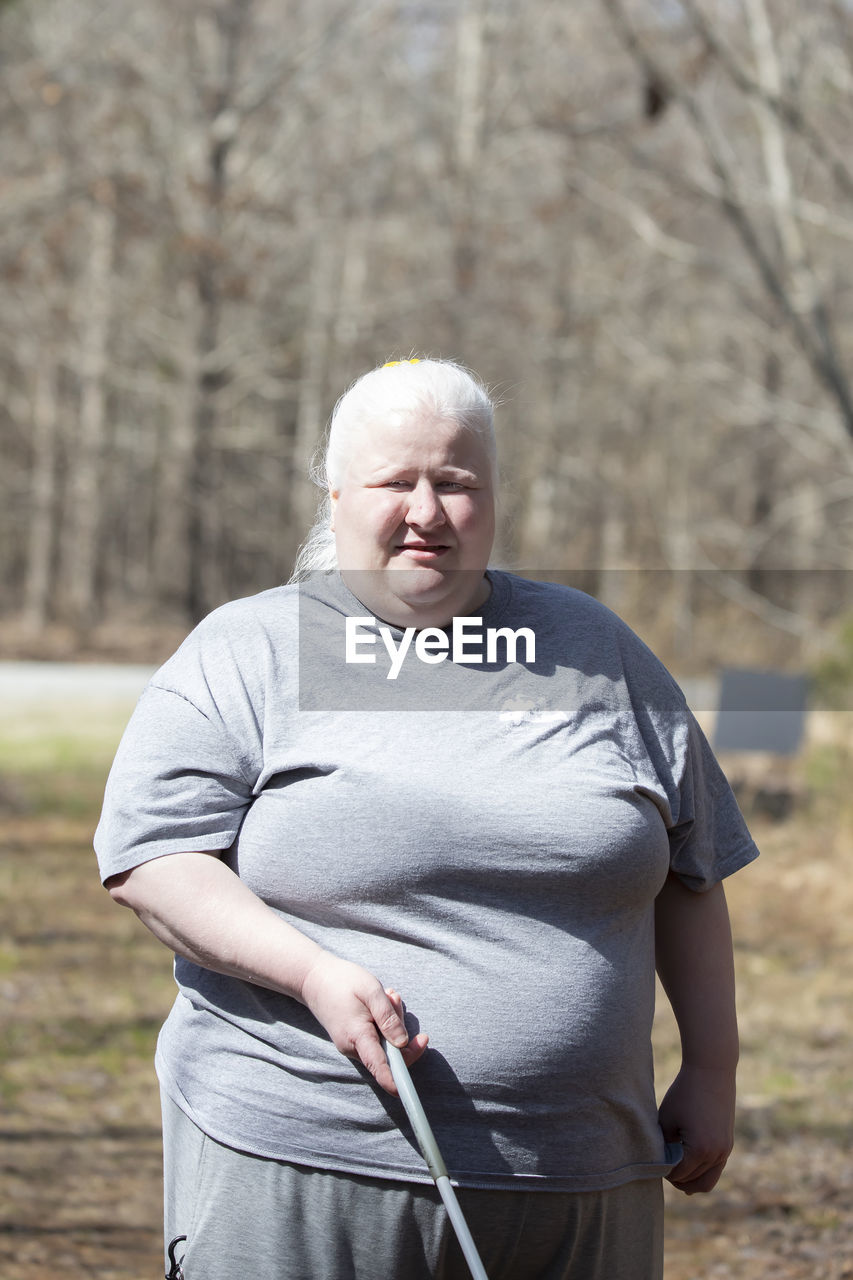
[(83, 991)]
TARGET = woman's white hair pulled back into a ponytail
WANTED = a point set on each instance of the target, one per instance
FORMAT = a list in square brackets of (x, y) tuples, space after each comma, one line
[(430, 388)]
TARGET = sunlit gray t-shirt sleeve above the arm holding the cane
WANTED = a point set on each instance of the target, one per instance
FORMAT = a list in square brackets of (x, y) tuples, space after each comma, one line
[(179, 784)]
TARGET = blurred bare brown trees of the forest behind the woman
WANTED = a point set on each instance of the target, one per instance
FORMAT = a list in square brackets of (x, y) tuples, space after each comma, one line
[(633, 218)]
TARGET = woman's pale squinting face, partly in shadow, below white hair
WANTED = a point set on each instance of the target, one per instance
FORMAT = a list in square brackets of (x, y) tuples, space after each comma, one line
[(416, 509)]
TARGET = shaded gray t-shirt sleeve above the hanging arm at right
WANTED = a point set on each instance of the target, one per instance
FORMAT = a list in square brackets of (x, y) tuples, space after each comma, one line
[(710, 839)]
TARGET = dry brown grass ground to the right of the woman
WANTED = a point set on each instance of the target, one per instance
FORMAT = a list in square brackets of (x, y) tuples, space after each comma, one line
[(784, 1208)]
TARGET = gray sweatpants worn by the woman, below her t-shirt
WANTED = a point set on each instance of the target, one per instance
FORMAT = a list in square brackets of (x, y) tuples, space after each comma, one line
[(263, 1219)]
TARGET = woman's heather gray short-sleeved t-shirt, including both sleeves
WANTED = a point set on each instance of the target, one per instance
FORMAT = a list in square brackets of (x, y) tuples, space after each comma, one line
[(490, 844)]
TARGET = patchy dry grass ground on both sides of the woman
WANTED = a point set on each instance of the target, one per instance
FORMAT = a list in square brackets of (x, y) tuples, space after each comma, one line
[(84, 989)]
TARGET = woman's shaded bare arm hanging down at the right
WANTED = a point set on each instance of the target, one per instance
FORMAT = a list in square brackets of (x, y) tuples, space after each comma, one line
[(696, 967)]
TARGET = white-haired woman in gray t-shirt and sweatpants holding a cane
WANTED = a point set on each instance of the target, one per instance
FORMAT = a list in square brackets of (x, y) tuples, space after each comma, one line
[(323, 807)]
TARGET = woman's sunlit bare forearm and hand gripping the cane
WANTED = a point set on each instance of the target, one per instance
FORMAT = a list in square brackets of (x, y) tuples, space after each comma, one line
[(202, 911)]
